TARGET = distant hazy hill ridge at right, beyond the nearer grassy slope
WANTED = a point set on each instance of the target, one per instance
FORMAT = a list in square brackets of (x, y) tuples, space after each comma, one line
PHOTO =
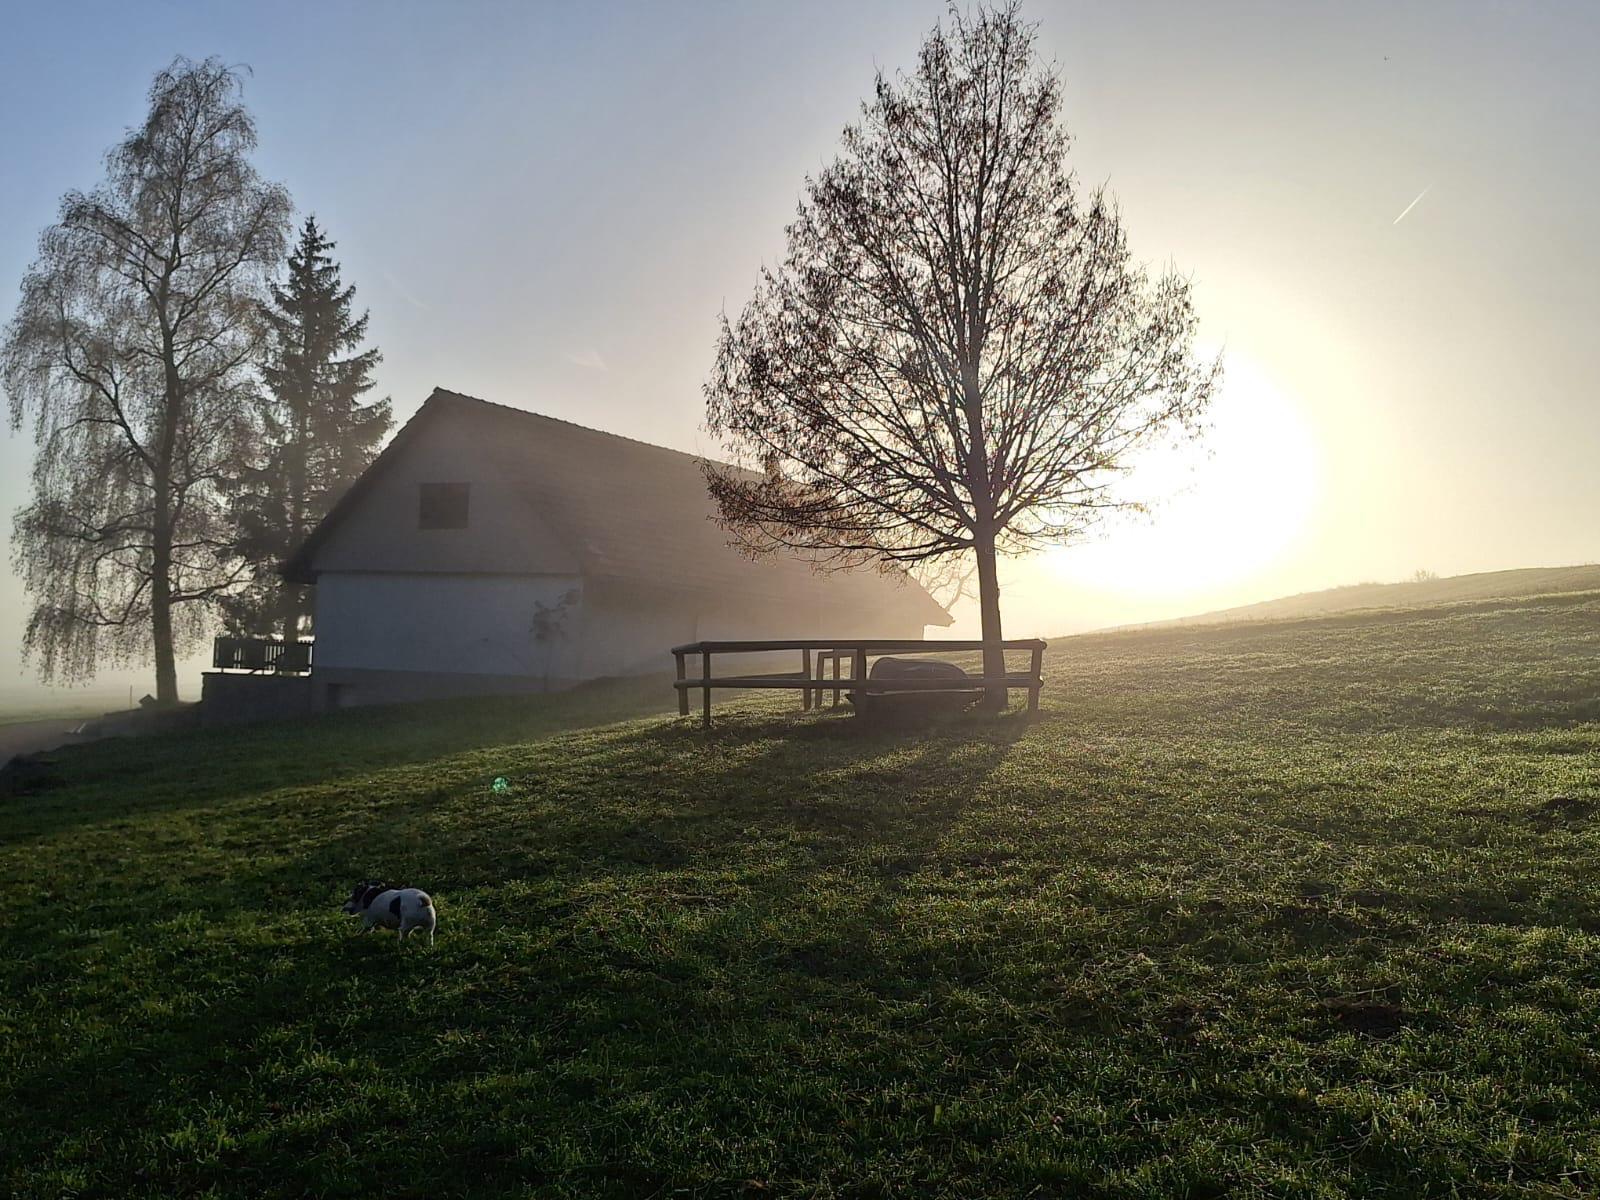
[(1410, 594)]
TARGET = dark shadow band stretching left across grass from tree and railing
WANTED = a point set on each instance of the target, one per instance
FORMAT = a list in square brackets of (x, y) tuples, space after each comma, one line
[(631, 804)]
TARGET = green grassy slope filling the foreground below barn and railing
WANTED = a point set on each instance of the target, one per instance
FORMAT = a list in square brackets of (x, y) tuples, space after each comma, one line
[(1295, 910)]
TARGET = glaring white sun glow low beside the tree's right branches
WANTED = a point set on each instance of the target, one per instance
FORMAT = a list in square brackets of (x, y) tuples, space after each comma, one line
[(1218, 514)]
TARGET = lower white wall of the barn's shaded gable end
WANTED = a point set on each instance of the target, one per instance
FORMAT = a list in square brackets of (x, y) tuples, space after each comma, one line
[(474, 625)]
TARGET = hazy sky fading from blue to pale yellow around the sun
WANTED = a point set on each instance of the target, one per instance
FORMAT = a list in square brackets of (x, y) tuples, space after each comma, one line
[(550, 206)]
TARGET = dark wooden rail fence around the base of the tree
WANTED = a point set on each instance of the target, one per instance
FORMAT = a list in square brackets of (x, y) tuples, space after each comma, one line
[(836, 652)]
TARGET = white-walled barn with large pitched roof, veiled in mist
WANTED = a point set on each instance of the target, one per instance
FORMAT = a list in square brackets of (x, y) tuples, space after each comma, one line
[(494, 550)]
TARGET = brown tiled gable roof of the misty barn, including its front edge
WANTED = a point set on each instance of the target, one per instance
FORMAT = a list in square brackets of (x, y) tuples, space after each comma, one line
[(630, 511)]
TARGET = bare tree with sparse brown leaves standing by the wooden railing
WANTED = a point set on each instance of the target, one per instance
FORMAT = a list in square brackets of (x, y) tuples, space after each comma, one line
[(958, 354)]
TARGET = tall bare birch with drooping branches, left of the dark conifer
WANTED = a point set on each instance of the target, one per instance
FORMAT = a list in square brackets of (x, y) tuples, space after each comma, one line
[(129, 353)]
